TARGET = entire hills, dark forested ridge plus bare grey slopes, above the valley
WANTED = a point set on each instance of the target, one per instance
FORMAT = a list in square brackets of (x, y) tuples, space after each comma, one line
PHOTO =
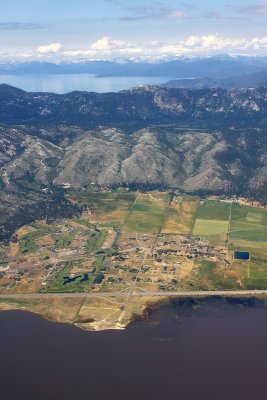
[(208, 140)]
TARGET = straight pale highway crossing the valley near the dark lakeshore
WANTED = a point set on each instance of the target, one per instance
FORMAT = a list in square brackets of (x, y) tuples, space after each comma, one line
[(125, 293)]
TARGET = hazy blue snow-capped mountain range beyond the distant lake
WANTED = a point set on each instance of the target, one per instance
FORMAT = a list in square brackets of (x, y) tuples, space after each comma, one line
[(220, 67)]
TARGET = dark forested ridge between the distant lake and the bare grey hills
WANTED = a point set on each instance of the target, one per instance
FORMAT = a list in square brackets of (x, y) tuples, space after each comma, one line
[(137, 107)]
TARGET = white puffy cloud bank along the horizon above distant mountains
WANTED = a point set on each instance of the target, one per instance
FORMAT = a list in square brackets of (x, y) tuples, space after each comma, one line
[(109, 48)]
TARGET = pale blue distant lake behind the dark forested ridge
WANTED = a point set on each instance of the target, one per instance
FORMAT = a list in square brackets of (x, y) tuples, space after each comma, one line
[(70, 82)]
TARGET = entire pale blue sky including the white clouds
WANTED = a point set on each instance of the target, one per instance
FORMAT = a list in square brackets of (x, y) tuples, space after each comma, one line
[(71, 30)]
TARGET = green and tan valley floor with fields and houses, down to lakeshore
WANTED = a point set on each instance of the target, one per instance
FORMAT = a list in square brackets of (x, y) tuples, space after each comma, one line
[(129, 250)]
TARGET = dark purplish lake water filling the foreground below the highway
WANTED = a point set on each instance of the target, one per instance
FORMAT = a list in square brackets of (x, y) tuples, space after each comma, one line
[(214, 352)]
